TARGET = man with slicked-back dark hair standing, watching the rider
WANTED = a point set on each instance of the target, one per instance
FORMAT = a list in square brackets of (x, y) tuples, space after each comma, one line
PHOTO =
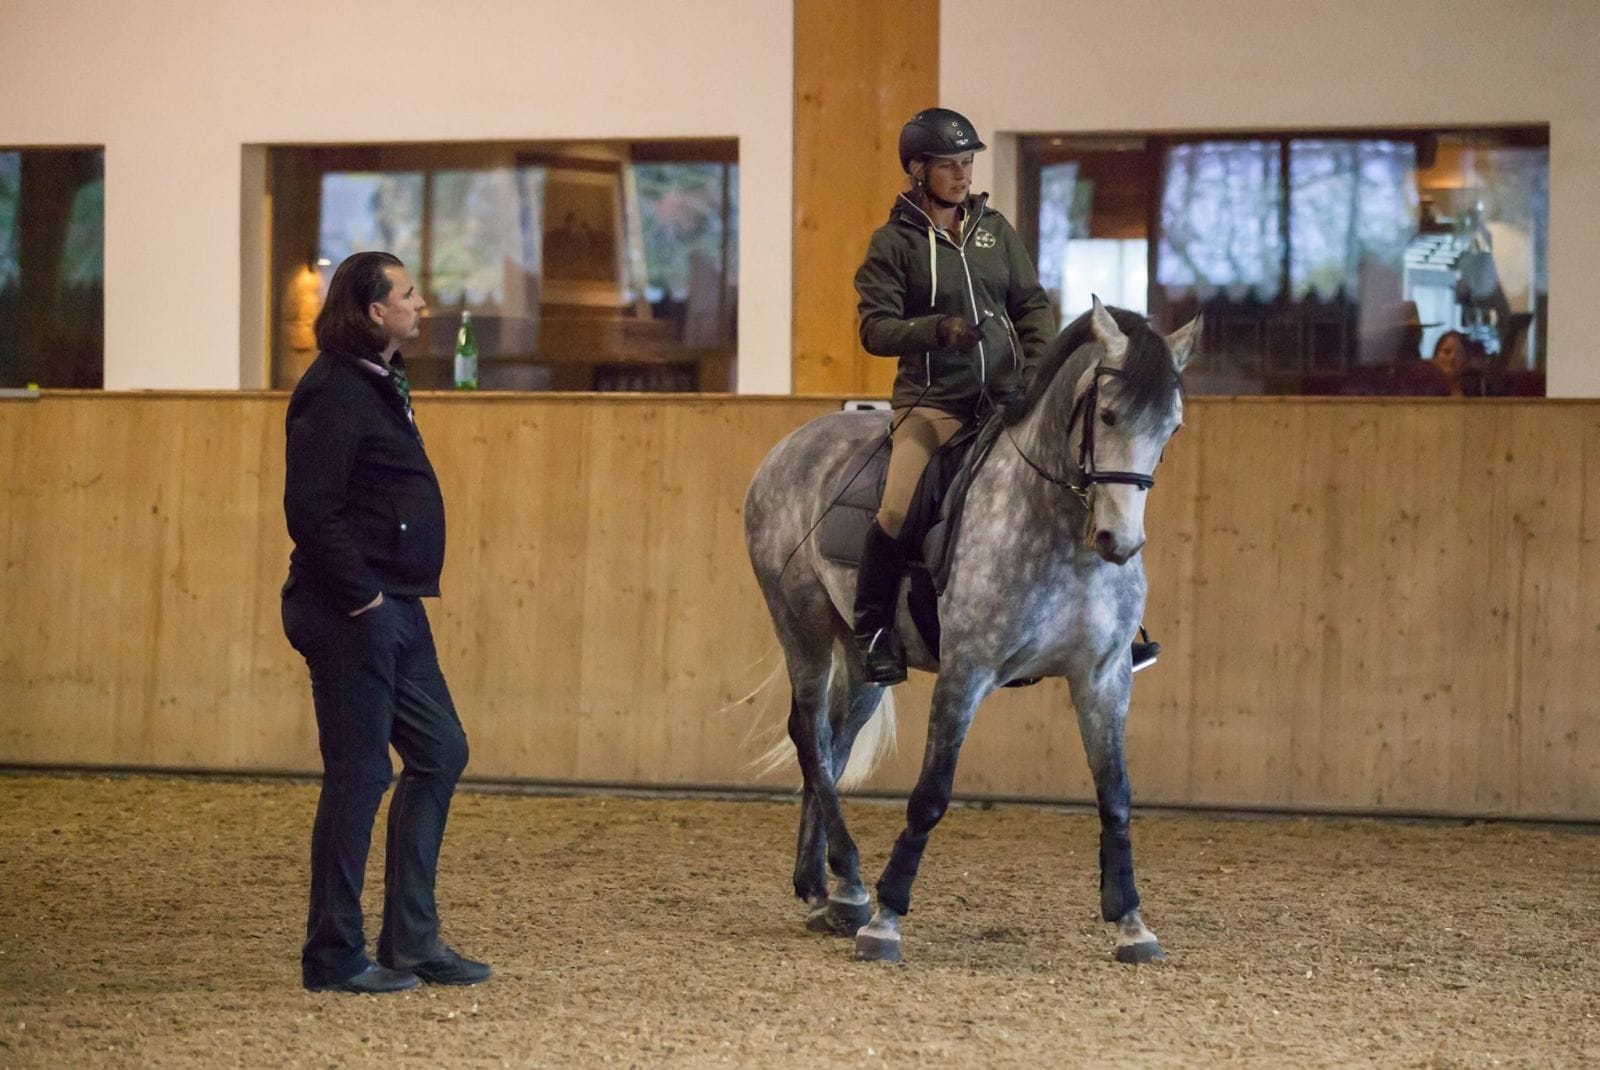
[(367, 519)]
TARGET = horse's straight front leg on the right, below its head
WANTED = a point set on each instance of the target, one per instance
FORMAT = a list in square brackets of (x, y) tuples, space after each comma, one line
[(1102, 700)]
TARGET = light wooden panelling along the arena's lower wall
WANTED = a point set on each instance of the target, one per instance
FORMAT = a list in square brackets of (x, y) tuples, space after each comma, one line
[(1367, 605)]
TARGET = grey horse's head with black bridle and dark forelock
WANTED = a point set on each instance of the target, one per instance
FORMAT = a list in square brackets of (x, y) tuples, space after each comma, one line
[(1127, 405)]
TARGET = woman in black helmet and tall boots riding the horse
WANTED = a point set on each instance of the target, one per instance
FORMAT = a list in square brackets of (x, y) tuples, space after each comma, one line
[(938, 274)]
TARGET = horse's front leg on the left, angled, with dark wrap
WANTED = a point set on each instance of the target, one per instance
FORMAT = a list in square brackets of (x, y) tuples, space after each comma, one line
[(956, 701)]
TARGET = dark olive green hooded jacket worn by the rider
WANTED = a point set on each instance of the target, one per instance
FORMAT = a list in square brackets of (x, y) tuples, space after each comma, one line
[(916, 274)]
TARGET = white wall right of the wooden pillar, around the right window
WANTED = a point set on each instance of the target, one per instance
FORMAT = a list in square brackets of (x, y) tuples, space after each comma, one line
[(1022, 66)]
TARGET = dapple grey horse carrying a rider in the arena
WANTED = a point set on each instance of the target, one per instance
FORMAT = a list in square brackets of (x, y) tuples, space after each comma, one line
[(1047, 581)]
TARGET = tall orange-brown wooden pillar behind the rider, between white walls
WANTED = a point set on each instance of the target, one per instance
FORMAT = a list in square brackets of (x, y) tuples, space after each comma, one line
[(862, 70)]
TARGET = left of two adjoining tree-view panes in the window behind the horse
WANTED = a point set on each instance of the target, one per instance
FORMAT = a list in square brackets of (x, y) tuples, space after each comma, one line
[(1220, 228)]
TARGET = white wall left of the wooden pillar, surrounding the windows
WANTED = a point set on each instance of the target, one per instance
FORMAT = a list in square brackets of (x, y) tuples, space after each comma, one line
[(174, 89)]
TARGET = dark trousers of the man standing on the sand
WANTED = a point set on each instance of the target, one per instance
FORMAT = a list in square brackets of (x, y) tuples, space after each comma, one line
[(375, 681)]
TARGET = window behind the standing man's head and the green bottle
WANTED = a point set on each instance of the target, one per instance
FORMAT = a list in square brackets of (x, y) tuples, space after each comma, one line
[(599, 266)]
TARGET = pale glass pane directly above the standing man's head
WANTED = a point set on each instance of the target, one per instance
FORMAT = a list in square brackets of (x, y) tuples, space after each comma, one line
[(366, 210)]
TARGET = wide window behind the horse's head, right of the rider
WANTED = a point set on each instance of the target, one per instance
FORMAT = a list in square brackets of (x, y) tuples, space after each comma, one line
[(1326, 263)]
